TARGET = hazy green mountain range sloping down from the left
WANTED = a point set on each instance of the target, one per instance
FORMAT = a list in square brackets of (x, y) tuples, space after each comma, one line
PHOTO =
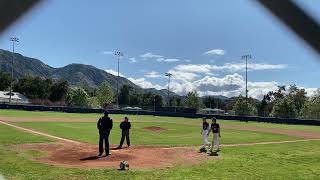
[(75, 74)]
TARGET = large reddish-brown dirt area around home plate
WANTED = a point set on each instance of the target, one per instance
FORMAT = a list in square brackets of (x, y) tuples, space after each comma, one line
[(85, 156)]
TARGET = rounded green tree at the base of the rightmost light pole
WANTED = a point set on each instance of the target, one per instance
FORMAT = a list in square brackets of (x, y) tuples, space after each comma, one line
[(244, 108)]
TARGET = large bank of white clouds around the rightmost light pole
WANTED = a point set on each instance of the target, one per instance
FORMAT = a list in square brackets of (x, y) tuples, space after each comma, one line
[(201, 77)]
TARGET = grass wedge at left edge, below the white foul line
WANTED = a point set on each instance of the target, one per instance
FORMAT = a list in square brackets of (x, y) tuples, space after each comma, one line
[(9, 135)]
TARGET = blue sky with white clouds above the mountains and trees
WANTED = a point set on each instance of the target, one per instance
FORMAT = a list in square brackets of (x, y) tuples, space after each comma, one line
[(200, 42)]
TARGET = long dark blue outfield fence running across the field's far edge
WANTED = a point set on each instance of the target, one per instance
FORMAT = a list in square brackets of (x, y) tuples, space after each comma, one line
[(163, 113)]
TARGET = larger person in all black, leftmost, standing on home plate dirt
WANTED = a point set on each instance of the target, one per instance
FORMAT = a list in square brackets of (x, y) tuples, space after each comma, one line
[(104, 126)]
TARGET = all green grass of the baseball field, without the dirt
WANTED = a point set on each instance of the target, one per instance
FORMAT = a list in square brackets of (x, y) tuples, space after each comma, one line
[(299, 160)]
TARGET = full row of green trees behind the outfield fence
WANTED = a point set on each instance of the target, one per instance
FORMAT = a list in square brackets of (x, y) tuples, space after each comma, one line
[(290, 102)]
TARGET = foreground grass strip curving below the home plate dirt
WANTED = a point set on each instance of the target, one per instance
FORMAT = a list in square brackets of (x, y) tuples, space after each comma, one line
[(282, 161)]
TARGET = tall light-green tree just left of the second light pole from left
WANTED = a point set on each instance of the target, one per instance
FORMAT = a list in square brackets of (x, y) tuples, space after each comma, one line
[(105, 94)]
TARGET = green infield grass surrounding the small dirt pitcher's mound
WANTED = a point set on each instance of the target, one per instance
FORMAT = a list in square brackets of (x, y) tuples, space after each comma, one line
[(176, 134)]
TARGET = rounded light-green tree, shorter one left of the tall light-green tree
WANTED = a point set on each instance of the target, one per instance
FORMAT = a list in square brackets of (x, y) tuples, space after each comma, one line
[(77, 97)]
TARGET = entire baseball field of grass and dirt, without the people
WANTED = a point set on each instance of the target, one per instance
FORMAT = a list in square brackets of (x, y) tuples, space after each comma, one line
[(52, 145)]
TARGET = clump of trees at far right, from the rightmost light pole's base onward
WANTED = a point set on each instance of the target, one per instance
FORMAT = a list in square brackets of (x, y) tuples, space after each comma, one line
[(290, 102)]
